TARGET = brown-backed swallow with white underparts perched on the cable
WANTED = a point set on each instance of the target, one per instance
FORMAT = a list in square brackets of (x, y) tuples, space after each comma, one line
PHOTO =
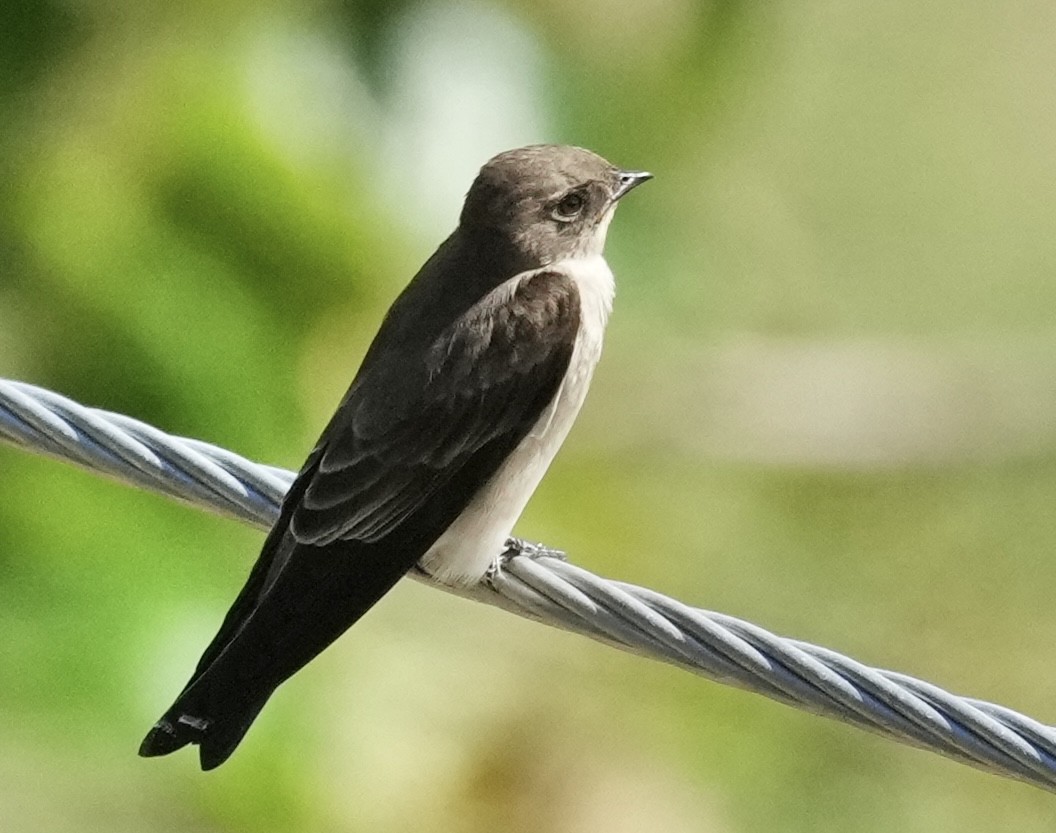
[(462, 401)]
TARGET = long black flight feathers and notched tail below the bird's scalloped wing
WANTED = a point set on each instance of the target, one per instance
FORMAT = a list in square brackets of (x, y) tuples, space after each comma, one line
[(297, 601)]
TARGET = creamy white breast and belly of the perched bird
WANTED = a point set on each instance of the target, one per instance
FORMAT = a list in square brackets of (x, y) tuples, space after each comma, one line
[(470, 545)]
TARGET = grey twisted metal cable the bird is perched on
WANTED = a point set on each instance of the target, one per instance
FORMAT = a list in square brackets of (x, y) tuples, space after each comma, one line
[(558, 594)]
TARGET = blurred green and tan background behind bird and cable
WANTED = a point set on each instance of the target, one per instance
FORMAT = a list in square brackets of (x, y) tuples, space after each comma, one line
[(827, 405)]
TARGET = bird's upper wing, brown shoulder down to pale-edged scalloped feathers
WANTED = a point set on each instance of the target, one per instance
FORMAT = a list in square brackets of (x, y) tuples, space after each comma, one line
[(486, 381)]
